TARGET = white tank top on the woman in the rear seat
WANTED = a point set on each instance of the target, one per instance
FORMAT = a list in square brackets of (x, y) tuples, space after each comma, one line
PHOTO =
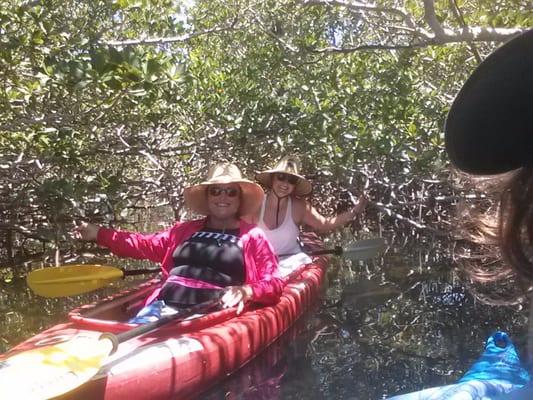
[(284, 237)]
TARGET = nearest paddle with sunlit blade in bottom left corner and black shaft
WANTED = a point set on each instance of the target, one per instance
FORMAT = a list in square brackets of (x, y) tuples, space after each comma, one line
[(53, 370)]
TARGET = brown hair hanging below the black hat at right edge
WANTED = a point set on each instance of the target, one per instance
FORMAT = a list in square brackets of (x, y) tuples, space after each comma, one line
[(502, 231)]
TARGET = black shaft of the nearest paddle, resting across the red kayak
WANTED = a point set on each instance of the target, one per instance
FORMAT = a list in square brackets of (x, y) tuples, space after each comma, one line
[(145, 328)]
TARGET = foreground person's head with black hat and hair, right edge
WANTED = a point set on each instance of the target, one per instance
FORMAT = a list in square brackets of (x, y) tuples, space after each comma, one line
[(489, 130)]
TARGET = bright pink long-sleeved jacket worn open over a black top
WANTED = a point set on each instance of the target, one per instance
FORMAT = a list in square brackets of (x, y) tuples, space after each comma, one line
[(259, 259)]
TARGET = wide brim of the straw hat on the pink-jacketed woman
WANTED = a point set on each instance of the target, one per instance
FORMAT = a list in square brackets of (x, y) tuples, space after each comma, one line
[(252, 196)]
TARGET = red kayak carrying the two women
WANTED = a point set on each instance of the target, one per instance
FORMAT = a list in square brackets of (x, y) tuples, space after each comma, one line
[(178, 360)]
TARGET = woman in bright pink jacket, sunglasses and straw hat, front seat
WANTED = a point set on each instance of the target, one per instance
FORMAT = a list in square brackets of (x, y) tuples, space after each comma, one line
[(216, 256)]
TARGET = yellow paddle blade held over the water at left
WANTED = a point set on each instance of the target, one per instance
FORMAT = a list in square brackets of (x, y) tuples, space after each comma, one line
[(71, 279)]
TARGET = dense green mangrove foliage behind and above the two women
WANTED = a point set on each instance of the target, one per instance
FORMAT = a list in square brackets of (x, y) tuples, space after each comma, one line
[(113, 106)]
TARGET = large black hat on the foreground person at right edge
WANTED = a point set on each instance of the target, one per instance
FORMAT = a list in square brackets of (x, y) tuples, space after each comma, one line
[(489, 128)]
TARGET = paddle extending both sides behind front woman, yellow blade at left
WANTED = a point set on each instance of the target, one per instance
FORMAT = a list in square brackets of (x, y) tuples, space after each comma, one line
[(76, 279)]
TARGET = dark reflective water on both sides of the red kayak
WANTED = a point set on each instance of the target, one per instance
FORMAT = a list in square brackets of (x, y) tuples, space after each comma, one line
[(391, 325)]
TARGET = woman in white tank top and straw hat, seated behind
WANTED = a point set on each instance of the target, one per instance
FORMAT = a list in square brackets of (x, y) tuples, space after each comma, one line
[(284, 210)]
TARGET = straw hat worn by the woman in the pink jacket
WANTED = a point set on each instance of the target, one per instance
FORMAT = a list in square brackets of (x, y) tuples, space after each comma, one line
[(223, 173)]
